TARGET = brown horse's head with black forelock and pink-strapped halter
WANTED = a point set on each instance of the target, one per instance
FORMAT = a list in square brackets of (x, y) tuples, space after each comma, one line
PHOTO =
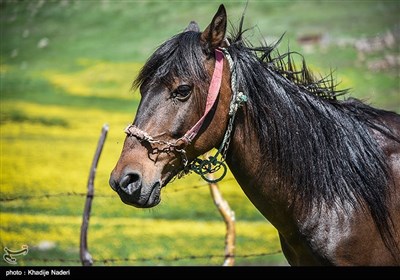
[(183, 112)]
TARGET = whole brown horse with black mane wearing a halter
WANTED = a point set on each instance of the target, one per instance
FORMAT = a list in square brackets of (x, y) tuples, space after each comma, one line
[(323, 170)]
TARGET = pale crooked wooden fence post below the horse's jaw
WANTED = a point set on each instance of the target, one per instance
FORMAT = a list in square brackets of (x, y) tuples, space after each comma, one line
[(229, 218)]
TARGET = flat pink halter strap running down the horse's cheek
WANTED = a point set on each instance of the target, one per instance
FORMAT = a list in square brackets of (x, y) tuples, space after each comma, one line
[(213, 91)]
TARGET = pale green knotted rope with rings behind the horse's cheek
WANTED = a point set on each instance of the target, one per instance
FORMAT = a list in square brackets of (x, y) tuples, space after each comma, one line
[(203, 167)]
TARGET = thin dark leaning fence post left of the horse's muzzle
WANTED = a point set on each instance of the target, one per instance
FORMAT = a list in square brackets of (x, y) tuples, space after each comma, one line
[(85, 256)]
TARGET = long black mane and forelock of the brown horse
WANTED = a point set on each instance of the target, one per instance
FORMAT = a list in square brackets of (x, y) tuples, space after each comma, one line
[(321, 146)]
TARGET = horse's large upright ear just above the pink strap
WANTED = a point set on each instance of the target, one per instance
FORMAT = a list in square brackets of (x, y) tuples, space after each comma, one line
[(213, 36)]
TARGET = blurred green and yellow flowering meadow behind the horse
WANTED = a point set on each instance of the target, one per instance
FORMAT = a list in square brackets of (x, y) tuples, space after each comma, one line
[(66, 70)]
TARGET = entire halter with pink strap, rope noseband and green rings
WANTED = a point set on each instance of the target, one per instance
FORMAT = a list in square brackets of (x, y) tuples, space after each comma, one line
[(212, 164)]
